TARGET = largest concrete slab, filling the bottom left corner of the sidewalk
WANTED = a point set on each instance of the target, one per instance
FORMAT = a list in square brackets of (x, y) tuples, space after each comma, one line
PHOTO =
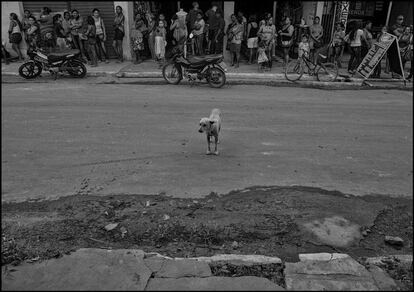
[(85, 269)]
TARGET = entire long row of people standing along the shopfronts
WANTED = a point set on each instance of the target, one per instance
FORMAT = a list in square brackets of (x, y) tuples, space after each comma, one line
[(257, 40)]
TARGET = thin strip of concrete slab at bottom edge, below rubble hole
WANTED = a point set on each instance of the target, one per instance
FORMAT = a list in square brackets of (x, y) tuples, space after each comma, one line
[(247, 283)]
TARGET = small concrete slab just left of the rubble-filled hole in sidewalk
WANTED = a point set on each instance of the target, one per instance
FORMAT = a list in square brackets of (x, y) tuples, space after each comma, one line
[(183, 268)]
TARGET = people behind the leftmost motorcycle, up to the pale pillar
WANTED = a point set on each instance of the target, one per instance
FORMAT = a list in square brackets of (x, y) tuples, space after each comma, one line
[(57, 33)]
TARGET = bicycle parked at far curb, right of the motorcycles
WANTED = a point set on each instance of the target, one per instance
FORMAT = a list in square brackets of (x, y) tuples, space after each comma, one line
[(323, 71)]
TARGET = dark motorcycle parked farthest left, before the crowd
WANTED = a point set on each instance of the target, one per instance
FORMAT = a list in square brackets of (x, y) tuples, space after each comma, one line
[(54, 62)]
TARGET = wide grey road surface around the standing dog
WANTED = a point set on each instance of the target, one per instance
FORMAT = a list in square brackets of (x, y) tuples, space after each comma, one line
[(68, 137)]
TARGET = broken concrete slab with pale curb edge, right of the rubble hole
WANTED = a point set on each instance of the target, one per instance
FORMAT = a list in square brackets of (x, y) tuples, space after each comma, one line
[(342, 273)]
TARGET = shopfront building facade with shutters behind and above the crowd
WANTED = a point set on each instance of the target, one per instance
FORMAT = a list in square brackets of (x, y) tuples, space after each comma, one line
[(379, 12)]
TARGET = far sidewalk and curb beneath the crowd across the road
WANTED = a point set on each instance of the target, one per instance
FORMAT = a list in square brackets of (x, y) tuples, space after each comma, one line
[(149, 71)]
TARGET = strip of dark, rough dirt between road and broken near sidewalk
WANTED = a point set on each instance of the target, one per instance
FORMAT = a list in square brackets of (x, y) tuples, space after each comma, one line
[(257, 220)]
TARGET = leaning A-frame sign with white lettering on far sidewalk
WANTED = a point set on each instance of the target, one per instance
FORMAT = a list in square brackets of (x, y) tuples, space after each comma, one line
[(387, 44)]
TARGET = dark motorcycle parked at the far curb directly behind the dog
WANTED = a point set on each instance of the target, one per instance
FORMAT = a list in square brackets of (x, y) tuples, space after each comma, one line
[(209, 67)]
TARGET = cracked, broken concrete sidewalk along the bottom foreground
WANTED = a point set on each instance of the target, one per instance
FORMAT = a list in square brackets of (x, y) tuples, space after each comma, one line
[(133, 269)]
